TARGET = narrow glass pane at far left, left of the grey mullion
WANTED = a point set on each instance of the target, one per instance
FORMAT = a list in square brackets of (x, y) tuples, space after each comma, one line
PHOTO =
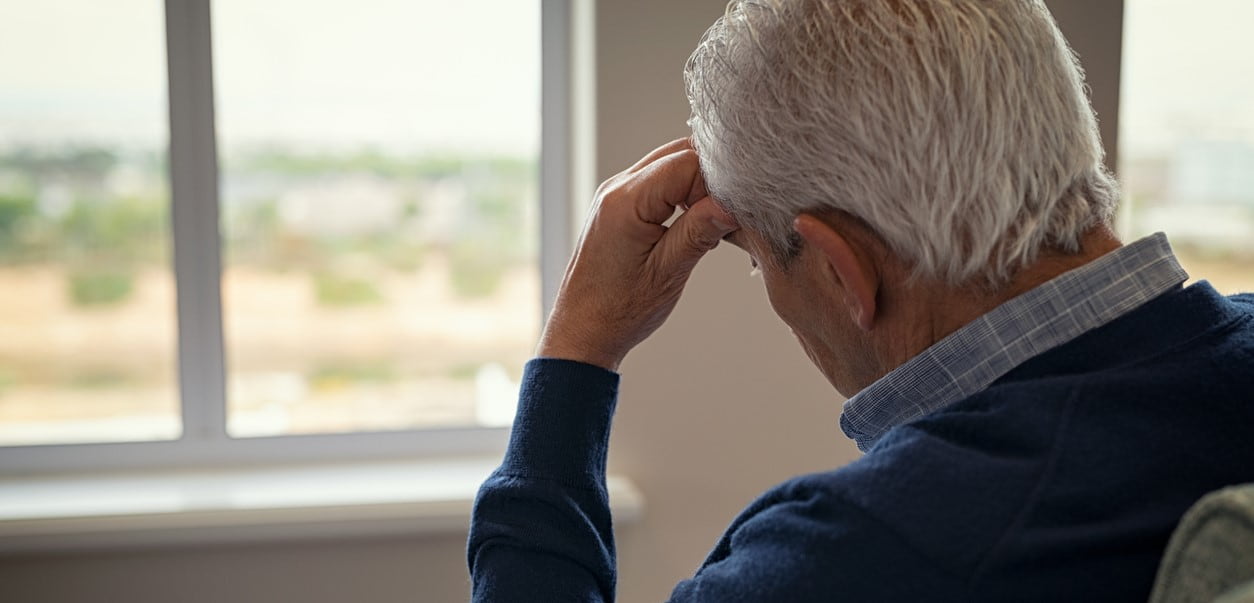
[(87, 312)]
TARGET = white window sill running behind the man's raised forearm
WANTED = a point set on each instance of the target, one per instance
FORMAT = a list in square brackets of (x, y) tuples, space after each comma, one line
[(248, 506)]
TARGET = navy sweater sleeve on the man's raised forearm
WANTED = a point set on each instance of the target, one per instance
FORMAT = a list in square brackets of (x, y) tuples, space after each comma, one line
[(541, 528)]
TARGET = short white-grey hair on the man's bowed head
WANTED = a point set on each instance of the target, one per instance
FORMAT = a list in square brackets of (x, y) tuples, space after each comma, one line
[(959, 131)]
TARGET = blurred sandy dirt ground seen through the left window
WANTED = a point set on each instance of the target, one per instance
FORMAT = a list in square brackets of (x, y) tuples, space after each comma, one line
[(414, 360)]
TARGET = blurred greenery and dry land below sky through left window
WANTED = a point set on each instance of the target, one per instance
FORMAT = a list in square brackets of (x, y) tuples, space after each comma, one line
[(362, 291)]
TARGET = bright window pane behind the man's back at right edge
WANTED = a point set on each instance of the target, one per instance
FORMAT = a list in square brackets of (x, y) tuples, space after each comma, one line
[(1187, 134)]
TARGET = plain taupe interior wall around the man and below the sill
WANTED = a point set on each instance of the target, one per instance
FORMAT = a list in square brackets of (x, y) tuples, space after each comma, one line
[(718, 407)]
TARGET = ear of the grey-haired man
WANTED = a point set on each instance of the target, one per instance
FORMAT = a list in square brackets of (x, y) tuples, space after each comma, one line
[(858, 278)]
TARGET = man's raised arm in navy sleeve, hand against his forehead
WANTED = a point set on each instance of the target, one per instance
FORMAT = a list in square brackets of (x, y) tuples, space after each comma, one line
[(541, 528)]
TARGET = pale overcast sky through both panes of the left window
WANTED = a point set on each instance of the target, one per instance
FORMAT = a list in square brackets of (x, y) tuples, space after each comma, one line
[(322, 75)]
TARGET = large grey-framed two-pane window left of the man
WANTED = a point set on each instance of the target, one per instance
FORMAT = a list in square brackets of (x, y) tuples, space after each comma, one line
[(332, 246)]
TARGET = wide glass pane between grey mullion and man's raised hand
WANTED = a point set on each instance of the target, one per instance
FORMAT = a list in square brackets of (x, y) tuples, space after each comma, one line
[(379, 189)]
